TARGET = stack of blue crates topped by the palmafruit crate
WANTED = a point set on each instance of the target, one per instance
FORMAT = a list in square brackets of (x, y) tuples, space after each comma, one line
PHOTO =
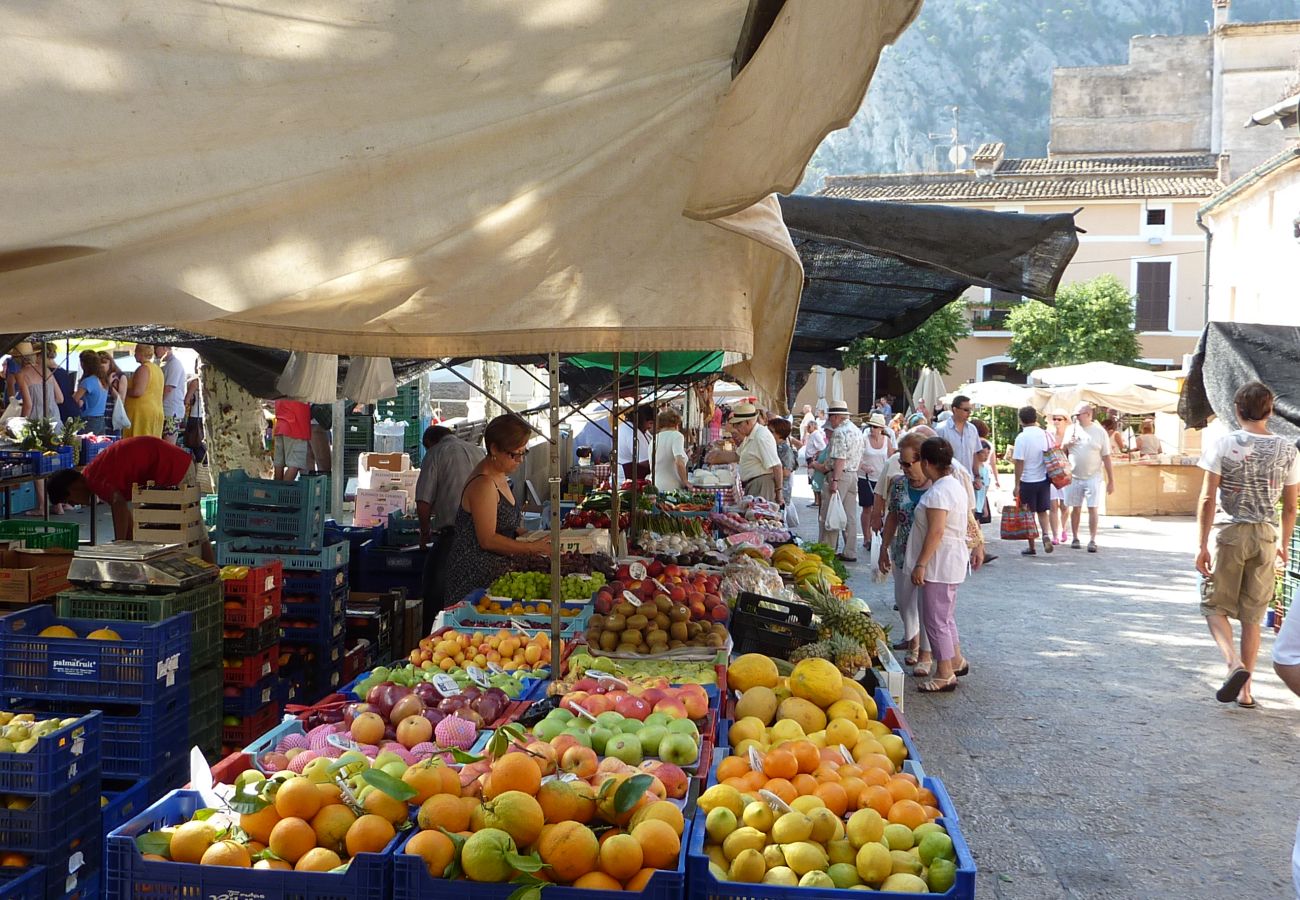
[(140, 681)]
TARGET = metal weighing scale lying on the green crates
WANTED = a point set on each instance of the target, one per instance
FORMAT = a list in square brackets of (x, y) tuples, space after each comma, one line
[(140, 568)]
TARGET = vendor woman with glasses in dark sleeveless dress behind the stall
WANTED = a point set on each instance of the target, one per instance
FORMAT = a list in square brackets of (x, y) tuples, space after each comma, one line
[(488, 521)]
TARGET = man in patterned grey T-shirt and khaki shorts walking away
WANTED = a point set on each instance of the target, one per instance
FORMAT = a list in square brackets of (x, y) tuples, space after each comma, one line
[(1250, 470)]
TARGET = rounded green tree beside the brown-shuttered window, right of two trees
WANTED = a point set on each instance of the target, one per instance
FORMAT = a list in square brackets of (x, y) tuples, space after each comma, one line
[(1093, 322)]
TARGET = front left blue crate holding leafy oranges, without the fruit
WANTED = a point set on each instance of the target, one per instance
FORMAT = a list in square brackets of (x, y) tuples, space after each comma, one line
[(369, 877)]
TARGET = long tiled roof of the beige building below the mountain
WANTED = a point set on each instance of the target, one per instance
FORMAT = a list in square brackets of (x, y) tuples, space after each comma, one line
[(1194, 176)]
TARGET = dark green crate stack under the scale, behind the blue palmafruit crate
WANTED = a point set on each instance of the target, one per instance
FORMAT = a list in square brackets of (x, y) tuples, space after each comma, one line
[(205, 605)]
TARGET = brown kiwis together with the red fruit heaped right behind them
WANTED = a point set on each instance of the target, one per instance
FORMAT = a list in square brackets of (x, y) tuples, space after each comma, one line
[(678, 609)]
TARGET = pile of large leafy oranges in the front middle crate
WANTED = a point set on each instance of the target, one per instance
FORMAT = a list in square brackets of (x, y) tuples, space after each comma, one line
[(525, 821)]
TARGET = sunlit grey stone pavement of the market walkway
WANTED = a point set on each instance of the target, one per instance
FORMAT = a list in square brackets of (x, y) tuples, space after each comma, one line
[(1086, 754)]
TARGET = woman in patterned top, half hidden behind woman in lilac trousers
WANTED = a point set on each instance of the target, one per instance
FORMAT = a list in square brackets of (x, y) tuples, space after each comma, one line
[(902, 495)]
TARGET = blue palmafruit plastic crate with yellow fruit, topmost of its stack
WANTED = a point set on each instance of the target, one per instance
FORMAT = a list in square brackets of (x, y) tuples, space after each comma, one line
[(150, 663)]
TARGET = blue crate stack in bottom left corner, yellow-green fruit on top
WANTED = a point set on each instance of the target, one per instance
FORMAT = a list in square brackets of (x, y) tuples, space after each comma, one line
[(51, 827)]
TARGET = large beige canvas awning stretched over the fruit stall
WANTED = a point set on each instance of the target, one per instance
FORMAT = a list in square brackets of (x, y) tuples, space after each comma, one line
[(402, 179)]
